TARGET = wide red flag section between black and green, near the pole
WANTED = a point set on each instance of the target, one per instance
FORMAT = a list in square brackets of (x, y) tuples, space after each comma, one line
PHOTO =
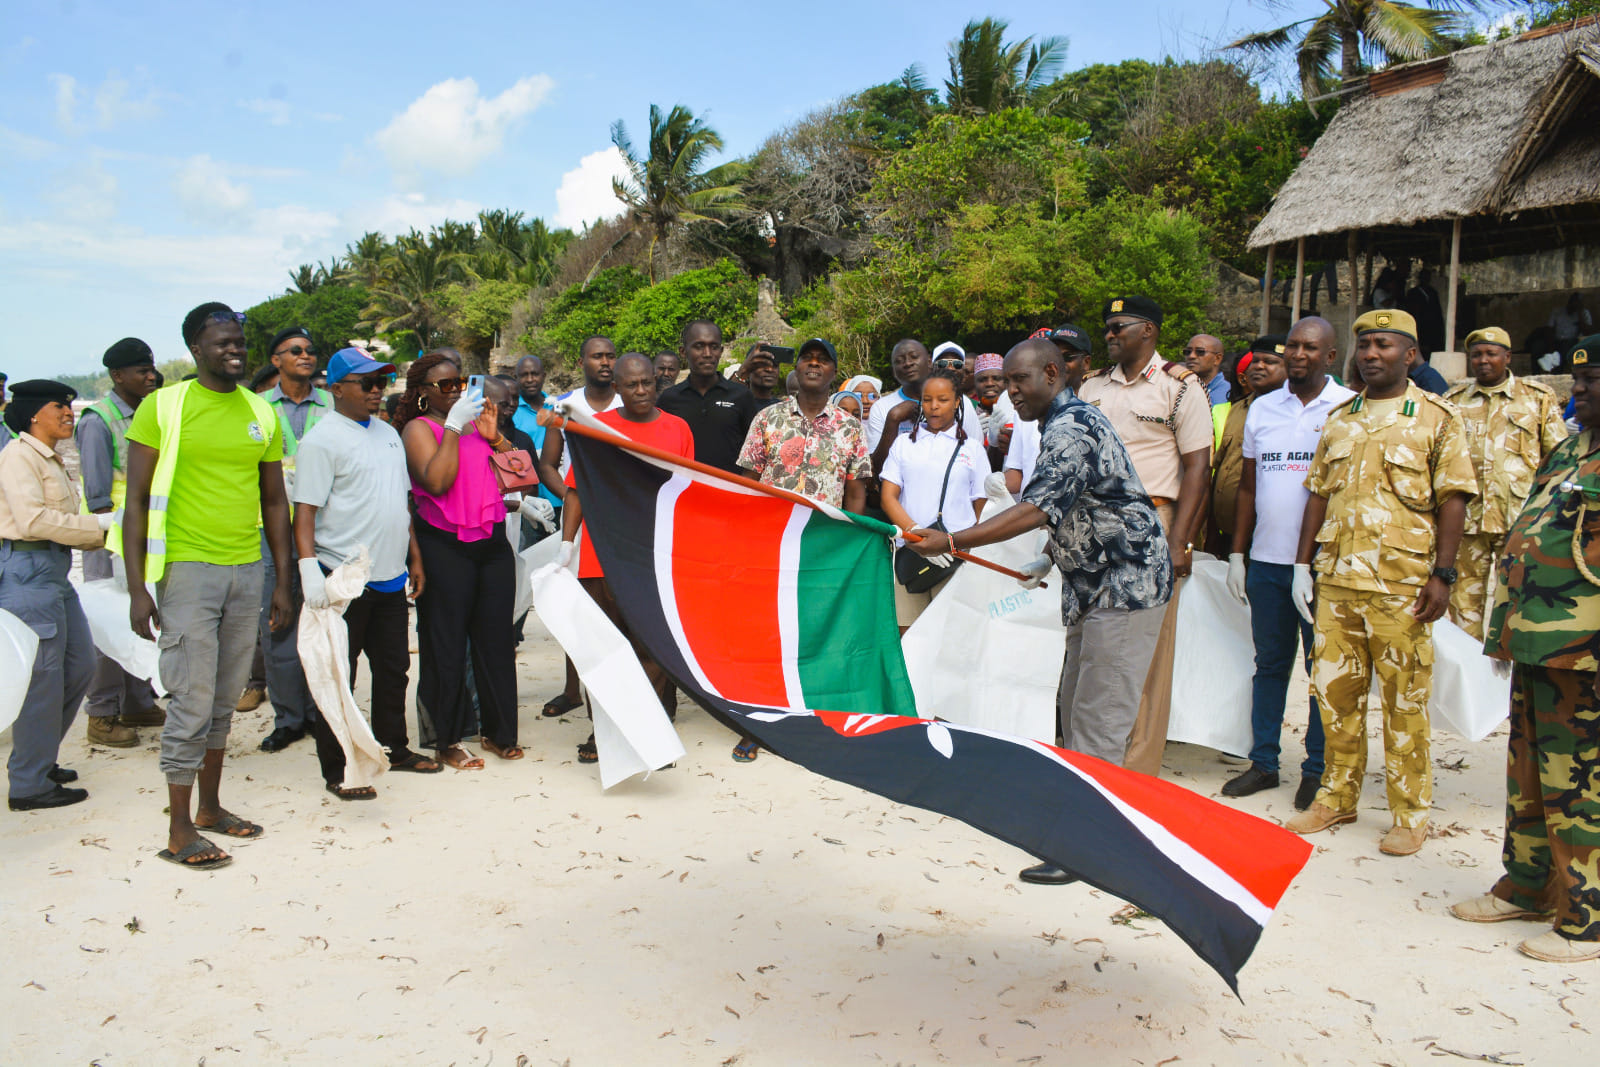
[(726, 551)]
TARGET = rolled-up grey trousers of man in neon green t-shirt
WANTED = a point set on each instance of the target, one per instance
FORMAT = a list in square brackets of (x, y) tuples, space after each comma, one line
[(209, 631)]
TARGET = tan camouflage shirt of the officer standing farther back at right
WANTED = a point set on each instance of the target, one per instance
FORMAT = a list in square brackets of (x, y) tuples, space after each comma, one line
[(1513, 428)]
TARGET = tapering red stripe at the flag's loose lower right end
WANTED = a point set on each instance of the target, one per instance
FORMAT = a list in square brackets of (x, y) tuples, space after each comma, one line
[(1255, 853)]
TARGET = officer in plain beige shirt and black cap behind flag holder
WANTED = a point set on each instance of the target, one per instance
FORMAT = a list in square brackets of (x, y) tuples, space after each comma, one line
[(1164, 418)]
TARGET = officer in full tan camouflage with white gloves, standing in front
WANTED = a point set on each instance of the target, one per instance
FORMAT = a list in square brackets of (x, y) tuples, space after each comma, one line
[(1390, 490)]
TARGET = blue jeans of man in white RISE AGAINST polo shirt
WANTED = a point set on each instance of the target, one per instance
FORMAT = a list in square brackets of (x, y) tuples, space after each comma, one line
[(1276, 628)]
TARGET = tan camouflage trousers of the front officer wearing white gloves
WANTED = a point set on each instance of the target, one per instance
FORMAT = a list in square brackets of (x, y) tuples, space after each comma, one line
[(1361, 634)]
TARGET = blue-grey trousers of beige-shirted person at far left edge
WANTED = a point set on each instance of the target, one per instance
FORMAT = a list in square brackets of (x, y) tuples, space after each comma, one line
[(34, 588)]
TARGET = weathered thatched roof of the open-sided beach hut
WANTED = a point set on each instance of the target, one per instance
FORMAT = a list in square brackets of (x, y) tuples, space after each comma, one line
[(1484, 132)]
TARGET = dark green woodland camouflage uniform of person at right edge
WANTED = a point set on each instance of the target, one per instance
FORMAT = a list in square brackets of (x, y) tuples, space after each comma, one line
[(1546, 618)]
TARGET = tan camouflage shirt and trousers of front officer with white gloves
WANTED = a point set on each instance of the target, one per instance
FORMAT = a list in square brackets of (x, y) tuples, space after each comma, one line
[(1385, 468)]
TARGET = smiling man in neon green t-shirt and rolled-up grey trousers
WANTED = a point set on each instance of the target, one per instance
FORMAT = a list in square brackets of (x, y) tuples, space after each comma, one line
[(204, 462)]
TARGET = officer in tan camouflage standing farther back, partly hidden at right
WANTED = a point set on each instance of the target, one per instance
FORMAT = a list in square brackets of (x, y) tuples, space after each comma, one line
[(1514, 425)]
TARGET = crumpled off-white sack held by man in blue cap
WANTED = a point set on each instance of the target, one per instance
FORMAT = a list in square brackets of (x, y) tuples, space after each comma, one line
[(326, 655)]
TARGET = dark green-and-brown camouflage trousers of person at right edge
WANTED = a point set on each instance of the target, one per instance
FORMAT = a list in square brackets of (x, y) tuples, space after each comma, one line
[(1553, 799)]
